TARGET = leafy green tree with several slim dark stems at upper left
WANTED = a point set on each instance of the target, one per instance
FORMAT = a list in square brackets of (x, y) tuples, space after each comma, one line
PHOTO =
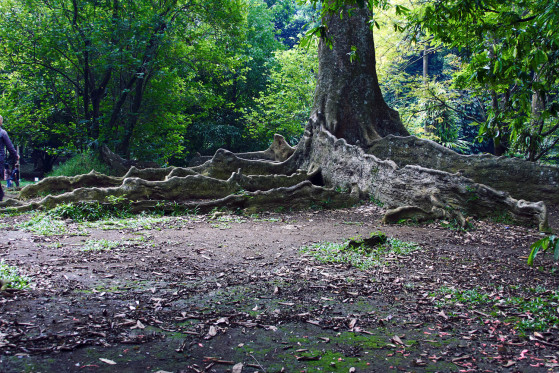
[(110, 56)]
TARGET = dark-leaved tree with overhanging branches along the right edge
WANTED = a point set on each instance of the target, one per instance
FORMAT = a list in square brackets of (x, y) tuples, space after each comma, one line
[(511, 55)]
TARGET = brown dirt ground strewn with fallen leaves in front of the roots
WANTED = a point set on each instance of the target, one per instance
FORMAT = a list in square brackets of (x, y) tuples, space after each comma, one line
[(234, 293)]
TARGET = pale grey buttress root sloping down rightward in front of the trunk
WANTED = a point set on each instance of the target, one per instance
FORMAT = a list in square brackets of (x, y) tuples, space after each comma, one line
[(412, 191)]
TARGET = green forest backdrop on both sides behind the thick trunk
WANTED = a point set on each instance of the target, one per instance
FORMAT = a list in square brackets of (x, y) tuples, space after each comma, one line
[(163, 81)]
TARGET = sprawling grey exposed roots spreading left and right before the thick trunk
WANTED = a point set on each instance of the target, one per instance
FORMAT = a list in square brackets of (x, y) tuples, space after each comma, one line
[(227, 180)]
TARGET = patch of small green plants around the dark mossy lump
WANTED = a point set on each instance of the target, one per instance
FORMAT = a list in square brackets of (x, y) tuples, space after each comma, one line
[(360, 256)]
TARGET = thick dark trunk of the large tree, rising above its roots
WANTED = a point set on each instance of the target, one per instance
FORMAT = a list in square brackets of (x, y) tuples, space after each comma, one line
[(348, 98)]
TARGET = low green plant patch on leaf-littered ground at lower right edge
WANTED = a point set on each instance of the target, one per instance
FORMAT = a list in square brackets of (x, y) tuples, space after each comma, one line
[(536, 309)]
